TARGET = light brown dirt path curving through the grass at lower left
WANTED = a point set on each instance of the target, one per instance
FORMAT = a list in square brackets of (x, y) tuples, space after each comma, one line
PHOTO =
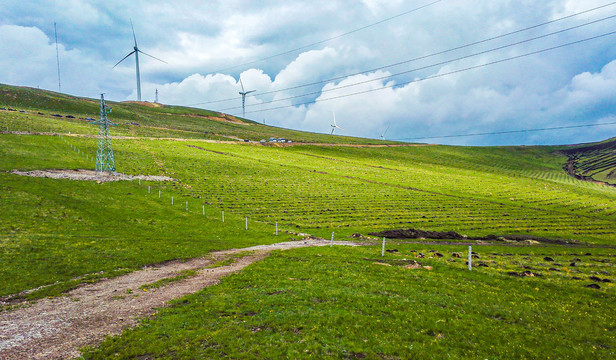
[(56, 328)]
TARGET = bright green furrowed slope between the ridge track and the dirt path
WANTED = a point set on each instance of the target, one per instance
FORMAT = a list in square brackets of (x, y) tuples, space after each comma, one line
[(60, 229)]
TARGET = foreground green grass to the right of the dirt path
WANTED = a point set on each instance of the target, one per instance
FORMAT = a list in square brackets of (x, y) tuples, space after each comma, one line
[(339, 303)]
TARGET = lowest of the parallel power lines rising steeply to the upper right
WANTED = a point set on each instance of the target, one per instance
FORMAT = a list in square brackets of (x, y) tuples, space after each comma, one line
[(441, 74)]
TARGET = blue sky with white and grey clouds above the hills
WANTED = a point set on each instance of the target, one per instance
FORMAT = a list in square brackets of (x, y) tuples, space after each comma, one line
[(308, 60)]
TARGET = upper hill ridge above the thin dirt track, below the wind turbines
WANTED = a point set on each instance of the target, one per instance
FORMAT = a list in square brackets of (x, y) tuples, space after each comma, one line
[(63, 112)]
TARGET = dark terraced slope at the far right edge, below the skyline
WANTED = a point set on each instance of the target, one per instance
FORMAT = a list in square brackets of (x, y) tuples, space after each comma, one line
[(594, 162)]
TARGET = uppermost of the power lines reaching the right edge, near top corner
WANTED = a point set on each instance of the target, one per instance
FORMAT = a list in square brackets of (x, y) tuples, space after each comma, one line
[(418, 58)]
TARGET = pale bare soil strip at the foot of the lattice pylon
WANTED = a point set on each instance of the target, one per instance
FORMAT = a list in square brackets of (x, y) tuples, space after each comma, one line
[(88, 175)]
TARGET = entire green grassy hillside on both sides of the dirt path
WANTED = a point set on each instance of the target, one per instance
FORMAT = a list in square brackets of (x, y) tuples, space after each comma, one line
[(58, 233)]
